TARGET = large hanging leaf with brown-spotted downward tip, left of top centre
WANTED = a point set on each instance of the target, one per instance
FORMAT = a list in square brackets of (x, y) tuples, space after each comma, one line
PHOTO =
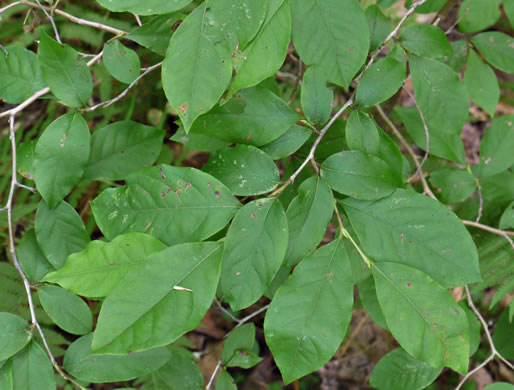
[(196, 70)]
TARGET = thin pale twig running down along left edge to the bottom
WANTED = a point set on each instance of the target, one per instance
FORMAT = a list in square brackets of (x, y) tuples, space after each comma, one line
[(12, 251)]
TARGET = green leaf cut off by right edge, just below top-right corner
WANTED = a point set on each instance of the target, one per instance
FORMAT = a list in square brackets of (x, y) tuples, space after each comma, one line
[(497, 48)]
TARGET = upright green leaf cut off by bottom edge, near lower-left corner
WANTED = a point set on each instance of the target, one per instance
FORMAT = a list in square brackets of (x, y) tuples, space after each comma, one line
[(32, 369)]
